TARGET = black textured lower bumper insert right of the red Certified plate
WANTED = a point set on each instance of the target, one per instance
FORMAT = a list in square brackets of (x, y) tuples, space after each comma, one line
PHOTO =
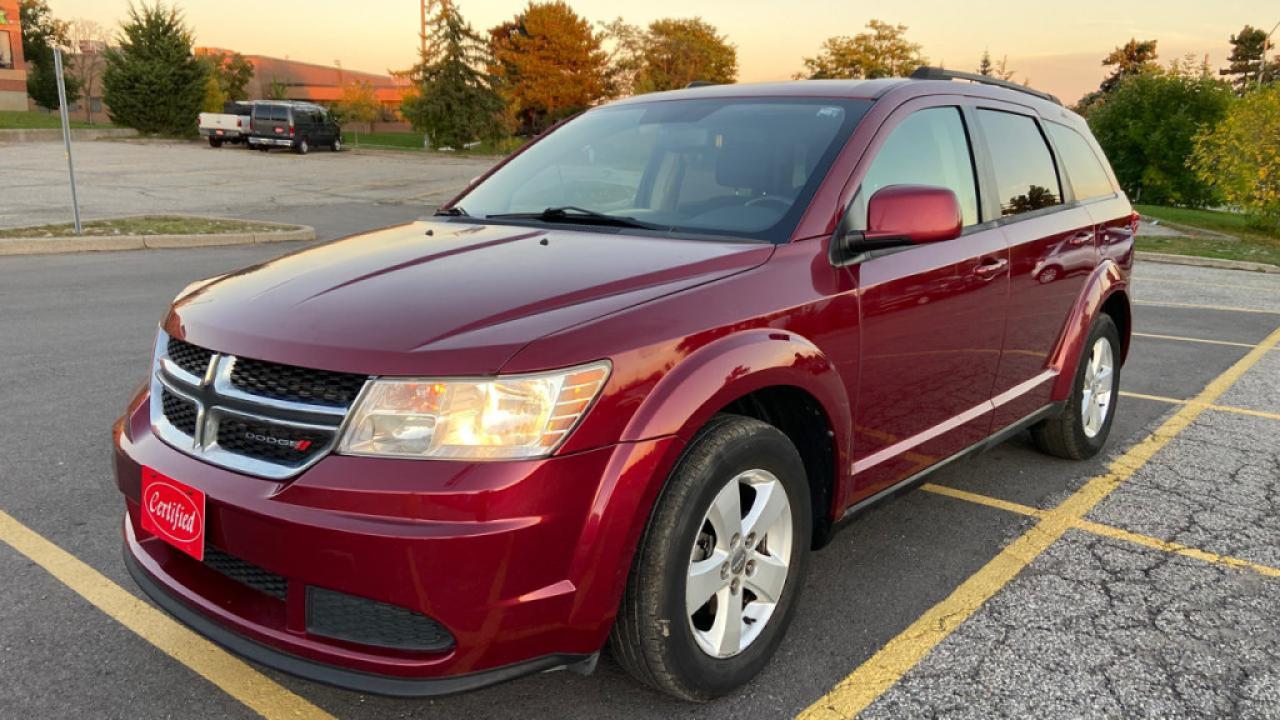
[(355, 619)]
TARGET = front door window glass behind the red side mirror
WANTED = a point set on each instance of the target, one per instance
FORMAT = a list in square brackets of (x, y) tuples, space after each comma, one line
[(930, 148)]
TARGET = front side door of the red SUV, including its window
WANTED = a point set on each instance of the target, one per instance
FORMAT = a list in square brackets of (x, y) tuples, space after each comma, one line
[(932, 316)]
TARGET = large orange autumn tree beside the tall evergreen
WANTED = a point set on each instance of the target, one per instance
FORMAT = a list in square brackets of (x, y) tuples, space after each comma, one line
[(548, 65)]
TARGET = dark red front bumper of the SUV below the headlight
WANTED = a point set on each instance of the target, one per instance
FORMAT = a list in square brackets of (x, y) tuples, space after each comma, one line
[(523, 563)]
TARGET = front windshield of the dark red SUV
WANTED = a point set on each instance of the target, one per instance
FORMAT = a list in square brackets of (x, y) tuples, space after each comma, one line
[(733, 167)]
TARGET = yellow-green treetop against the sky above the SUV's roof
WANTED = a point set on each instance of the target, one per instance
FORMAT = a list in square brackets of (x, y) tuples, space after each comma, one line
[(883, 52)]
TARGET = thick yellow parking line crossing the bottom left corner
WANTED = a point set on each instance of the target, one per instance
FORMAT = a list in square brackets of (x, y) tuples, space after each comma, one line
[(232, 676)]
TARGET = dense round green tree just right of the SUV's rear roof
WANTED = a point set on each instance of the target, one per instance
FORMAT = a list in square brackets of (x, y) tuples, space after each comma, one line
[(1148, 129)]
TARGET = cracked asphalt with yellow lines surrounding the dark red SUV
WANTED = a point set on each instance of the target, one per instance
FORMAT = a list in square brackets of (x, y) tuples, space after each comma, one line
[(1145, 584)]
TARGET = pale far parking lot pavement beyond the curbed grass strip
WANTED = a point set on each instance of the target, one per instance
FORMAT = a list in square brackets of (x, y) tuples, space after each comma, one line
[(337, 194)]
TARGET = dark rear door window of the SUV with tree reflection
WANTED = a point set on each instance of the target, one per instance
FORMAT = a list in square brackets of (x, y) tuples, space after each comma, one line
[(1026, 179)]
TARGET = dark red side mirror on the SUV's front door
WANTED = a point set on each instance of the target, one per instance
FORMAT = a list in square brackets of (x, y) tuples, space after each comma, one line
[(908, 215)]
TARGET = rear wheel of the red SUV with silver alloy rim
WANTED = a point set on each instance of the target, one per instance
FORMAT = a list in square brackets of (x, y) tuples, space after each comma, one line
[(1084, 427)]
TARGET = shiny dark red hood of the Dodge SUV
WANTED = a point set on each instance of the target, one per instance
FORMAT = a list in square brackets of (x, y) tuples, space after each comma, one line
[(440, 298)]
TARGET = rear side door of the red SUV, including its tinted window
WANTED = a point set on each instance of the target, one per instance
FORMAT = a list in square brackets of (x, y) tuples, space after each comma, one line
[(1053, 244)]
